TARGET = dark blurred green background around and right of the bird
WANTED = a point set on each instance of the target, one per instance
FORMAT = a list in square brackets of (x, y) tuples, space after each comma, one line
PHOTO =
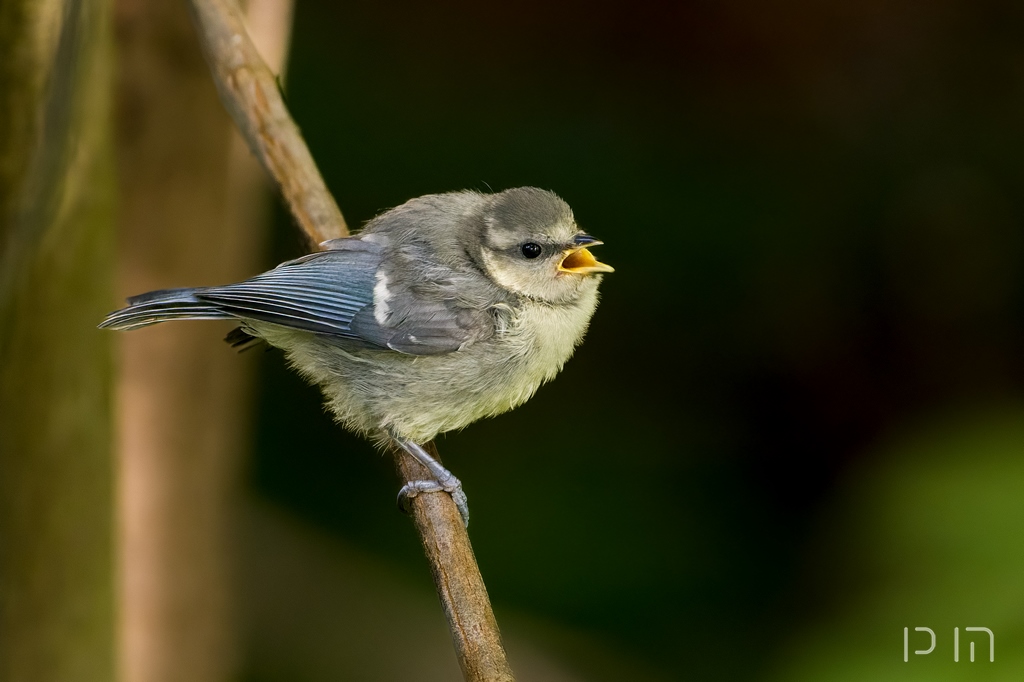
[(796, 425)]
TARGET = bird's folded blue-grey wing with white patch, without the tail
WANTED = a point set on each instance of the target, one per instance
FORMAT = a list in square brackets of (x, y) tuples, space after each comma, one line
[(346, 294)]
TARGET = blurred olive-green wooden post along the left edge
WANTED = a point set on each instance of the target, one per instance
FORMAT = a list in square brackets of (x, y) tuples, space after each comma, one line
[(57, 265)]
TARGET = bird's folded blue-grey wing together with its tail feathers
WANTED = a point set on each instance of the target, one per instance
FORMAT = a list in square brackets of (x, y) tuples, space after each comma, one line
[(332, 294)]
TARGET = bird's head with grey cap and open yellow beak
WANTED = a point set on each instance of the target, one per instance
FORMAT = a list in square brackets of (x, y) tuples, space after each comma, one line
[(532, 245)]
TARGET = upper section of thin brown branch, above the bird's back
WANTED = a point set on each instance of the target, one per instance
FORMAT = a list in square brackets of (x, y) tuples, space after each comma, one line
[(251, 96)]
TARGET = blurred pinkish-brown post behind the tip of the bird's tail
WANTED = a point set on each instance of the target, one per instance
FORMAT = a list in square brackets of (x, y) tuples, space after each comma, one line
[(194, 208)]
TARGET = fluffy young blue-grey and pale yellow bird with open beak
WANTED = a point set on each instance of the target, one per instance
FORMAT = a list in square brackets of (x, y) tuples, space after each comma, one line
[(441, 312)]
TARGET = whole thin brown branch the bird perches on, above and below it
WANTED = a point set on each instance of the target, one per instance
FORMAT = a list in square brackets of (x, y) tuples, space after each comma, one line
[(251, 96)]
